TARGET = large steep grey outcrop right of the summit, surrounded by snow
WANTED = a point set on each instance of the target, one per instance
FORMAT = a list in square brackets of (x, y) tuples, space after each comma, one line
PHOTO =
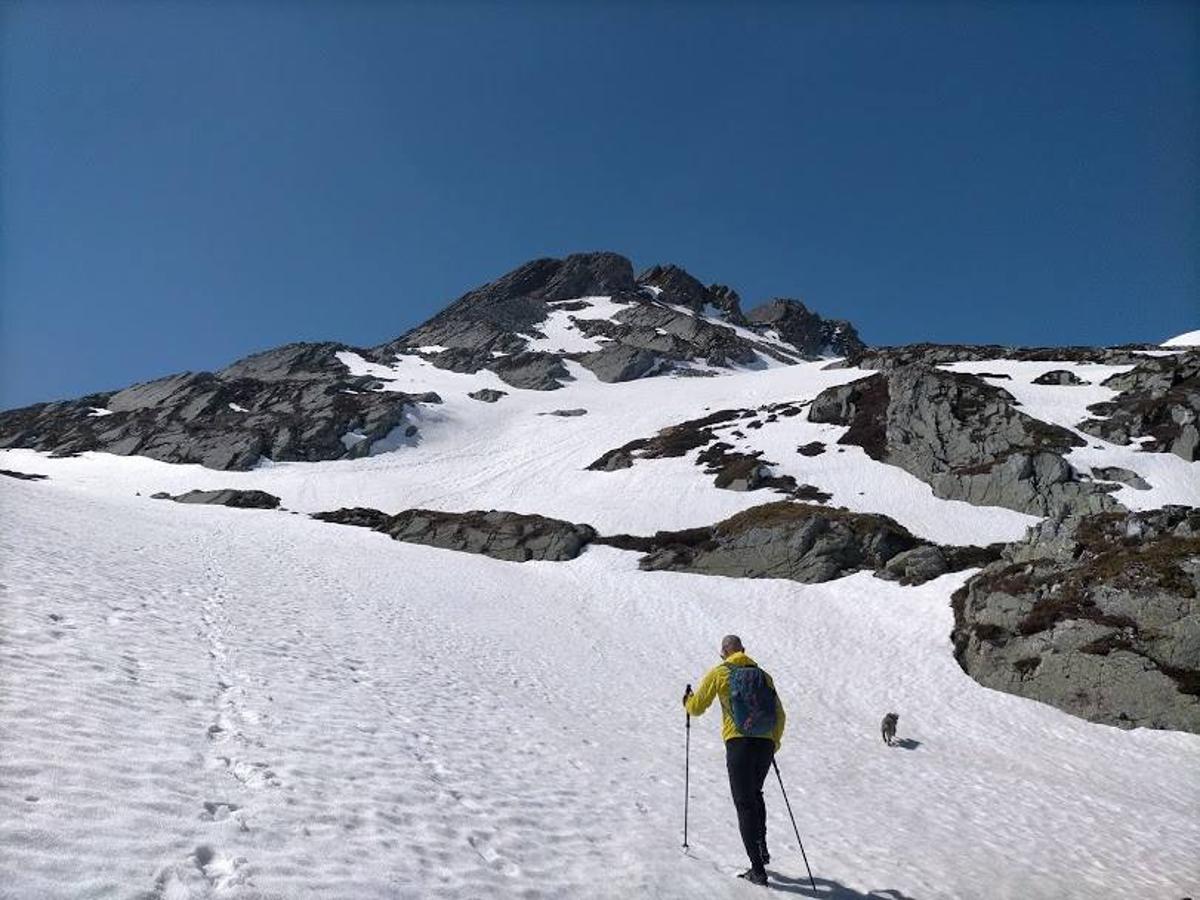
[(963, 437)]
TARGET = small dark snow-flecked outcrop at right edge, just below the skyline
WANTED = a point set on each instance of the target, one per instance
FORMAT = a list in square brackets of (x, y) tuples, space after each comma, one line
[(1160, 400)]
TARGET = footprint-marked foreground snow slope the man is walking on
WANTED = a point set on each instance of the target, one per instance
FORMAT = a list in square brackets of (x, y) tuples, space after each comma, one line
[(236, 704)]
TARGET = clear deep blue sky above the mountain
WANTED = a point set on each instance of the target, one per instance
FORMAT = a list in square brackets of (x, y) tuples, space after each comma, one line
[(185, 183)]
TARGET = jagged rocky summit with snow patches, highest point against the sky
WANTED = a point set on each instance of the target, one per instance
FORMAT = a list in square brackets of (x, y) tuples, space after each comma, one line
[(590, 309)]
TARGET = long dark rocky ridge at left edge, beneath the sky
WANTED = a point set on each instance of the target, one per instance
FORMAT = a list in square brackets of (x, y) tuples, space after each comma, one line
[(297, 403)]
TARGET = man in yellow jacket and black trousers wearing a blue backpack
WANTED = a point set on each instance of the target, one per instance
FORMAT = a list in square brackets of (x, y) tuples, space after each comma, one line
[(752, 727)]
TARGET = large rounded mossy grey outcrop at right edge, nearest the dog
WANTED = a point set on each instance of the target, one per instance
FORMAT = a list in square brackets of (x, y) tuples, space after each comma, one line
[(1096, 615)]
